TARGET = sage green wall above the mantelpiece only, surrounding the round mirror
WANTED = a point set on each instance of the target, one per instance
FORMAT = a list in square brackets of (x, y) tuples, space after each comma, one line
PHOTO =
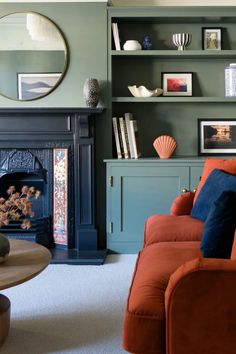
[(85, 30)]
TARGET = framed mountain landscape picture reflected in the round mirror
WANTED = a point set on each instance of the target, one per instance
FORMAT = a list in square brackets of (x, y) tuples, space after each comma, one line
[(31, 86)]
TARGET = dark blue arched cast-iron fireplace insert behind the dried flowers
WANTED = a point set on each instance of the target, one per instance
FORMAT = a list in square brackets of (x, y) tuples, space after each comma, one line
[(22, 168)]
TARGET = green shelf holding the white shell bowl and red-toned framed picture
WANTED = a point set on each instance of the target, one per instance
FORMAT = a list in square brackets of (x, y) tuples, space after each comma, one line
[(166, 99)]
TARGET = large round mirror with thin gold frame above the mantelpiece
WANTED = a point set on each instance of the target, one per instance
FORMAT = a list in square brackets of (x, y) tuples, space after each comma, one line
[(33, 56)]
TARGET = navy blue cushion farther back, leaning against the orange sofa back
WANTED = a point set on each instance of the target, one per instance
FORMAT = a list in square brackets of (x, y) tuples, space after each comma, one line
[(217, 182)]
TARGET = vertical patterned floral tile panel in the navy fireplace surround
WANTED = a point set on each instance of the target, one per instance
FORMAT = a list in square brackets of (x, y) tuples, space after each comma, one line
[(60, 196)]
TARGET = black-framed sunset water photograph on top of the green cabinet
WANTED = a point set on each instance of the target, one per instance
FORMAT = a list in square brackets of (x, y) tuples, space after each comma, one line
[(217, 136)]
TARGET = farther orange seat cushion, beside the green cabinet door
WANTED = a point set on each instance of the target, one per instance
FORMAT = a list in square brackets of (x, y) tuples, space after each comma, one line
[(161, 228)]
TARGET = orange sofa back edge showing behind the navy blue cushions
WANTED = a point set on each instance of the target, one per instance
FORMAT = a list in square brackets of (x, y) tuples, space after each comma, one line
[(227, 165)]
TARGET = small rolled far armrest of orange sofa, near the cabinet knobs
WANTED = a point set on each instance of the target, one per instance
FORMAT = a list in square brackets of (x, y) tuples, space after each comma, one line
[(182, 205)]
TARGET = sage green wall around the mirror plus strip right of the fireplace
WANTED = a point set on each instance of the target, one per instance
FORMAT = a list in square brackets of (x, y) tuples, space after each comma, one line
[(84, 26)]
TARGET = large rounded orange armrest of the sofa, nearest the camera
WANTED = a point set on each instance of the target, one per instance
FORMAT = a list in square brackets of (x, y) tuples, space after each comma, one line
[(200, 303)]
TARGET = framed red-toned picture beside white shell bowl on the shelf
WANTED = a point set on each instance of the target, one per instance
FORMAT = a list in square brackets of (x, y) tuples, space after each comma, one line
[(177, 84)]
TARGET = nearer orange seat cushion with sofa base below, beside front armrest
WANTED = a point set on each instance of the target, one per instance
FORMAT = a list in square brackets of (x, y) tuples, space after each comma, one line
[(144, 324)]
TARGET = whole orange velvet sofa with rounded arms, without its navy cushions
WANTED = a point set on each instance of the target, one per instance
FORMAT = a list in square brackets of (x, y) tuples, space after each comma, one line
[(180, 302)]
